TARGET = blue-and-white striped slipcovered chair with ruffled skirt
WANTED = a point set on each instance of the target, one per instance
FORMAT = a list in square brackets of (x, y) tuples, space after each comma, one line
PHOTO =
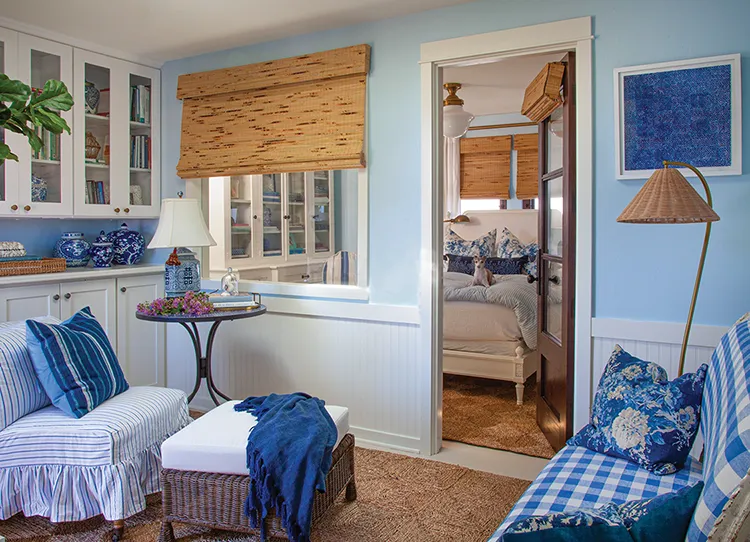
[(69, 469)]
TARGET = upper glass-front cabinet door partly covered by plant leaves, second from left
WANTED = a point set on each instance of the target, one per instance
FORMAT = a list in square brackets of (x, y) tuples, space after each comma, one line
[(45, 185)]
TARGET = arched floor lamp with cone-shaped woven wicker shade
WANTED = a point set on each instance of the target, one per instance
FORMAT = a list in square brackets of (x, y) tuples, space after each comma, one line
[(668, 198)]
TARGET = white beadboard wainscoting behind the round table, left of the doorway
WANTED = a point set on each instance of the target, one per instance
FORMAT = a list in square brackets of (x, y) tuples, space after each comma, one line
[(361, 362)]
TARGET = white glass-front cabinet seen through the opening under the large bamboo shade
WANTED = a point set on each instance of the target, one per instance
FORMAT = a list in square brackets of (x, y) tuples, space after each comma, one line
[(272, 221)]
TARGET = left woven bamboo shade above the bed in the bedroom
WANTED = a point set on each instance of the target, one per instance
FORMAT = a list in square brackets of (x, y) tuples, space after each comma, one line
[(485, 167)]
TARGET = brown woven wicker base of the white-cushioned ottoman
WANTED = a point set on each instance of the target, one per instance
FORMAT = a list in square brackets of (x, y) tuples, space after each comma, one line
[(217, 500)]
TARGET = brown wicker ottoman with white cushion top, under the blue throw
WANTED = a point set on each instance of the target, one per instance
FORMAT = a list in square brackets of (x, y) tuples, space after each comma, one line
[(203, 481)]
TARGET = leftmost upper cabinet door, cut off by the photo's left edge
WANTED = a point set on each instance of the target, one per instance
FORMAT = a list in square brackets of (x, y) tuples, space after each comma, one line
[(9, 169)]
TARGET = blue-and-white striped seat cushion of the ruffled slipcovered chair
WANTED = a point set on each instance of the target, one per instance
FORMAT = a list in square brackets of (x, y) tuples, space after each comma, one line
[(115, 431)]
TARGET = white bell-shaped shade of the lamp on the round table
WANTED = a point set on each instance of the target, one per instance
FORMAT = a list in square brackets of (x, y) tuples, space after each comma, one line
[(181, 224)]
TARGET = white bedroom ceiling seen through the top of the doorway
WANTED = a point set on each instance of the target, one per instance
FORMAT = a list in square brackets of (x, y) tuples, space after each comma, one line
[(498, 87)]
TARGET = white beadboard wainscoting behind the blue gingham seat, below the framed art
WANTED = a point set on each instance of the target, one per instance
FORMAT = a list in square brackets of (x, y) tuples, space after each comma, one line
[(659, 342)]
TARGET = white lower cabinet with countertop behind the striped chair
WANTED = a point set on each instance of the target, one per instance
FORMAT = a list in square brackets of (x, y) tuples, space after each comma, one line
[(140, 346)]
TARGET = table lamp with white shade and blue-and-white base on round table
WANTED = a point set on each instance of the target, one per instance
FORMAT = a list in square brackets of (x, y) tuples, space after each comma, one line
[(181, 224)]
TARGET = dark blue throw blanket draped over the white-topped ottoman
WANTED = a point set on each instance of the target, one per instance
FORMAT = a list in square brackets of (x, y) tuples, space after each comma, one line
[(288, 456)]
